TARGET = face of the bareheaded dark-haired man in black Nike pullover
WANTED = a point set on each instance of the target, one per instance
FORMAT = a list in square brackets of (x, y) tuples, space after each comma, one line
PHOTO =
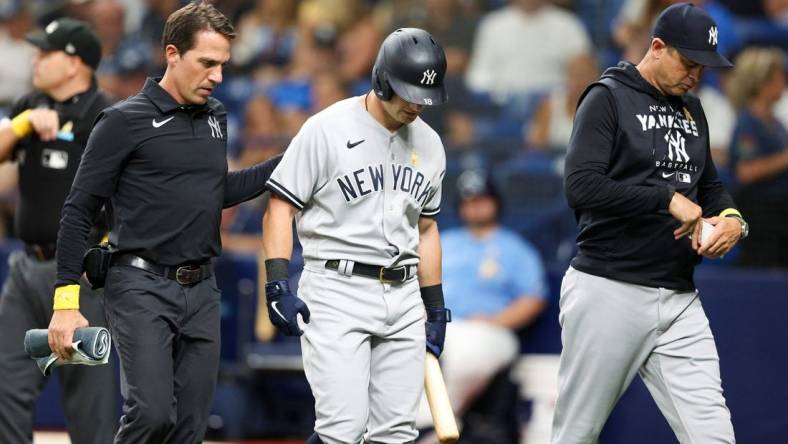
[(198, 71)]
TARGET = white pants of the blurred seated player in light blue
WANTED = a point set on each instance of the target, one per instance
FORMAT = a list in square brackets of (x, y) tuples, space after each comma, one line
[(474, 354)]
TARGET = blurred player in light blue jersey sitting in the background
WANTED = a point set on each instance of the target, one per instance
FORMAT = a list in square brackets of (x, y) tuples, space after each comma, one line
[(494, 281)]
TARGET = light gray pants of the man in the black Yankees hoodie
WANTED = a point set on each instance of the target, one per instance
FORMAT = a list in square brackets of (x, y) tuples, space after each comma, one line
[(612, 330)]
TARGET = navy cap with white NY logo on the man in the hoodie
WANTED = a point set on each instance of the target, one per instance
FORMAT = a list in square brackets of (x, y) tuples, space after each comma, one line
[(692, 32)]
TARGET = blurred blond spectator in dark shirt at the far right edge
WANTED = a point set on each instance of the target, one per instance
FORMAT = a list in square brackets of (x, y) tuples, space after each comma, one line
[(759, 155)]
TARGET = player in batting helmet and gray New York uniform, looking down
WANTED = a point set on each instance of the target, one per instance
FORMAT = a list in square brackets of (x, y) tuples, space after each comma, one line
[(363, 180)]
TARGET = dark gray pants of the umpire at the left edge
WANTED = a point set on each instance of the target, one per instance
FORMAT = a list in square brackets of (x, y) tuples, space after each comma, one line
[(89, 393)]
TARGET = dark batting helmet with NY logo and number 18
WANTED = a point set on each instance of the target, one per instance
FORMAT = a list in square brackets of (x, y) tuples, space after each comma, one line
[(412, 65)]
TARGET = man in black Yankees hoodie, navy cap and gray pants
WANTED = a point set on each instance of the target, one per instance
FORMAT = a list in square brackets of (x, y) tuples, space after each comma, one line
[(649, 206)]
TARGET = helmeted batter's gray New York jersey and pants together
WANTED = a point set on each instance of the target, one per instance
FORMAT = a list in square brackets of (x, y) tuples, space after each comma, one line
[(362, 190)]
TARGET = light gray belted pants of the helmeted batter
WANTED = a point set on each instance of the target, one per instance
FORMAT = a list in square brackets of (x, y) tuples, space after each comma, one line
[(363, 353)]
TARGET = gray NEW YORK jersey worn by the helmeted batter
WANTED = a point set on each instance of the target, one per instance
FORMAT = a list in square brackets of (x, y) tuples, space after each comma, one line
[(361, 188)]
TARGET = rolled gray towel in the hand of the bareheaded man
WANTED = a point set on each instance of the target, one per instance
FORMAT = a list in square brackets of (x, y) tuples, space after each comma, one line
[(91, 347)]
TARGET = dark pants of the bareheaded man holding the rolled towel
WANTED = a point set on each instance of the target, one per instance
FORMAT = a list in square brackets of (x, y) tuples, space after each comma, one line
[(167, 337)]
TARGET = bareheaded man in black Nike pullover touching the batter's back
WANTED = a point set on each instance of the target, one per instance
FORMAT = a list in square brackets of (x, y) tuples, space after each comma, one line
[(159, 158)]
